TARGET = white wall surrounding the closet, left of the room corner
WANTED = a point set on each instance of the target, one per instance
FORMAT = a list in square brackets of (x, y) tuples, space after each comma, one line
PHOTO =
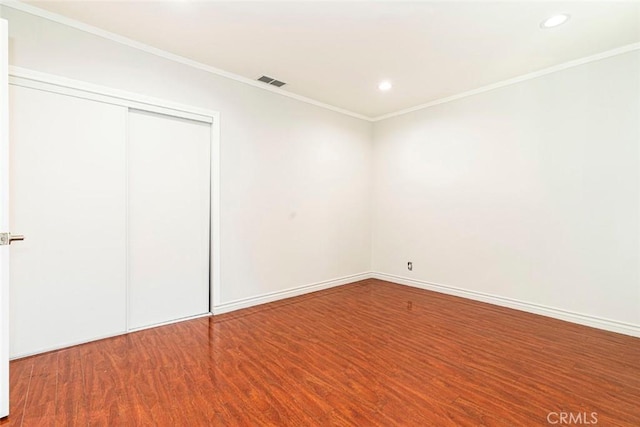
[(295, 178)]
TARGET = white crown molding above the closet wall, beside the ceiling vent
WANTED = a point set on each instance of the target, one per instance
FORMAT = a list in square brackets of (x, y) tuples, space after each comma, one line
[(170, 56)]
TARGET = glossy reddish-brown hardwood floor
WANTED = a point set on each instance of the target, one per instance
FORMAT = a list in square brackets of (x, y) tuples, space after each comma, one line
[(367, 354)]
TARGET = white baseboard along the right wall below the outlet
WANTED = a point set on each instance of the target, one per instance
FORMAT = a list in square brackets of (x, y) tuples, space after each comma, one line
[(556, 313)]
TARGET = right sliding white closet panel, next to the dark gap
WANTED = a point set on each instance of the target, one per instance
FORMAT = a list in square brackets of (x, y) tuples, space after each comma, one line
[(168, 211)]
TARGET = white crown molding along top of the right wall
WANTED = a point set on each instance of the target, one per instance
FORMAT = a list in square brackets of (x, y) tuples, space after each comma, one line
[(508, 82)]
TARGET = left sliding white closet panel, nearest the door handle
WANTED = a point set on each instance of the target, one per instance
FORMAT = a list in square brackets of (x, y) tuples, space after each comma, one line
[(68, 197)]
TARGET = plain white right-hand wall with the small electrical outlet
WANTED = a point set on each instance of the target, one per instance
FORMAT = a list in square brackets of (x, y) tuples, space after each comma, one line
[(529, 192)]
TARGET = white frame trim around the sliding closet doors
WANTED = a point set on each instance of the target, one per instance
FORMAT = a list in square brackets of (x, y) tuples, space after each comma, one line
[(23, 77)]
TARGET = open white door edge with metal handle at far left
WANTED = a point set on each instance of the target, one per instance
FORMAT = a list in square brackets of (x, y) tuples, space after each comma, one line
[(4, 222)]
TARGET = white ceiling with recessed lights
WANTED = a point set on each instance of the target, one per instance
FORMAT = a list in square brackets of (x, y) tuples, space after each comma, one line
[(336, 52)]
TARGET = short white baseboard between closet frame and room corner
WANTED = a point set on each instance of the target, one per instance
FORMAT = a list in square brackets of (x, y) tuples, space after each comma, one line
[(287, 293)]
